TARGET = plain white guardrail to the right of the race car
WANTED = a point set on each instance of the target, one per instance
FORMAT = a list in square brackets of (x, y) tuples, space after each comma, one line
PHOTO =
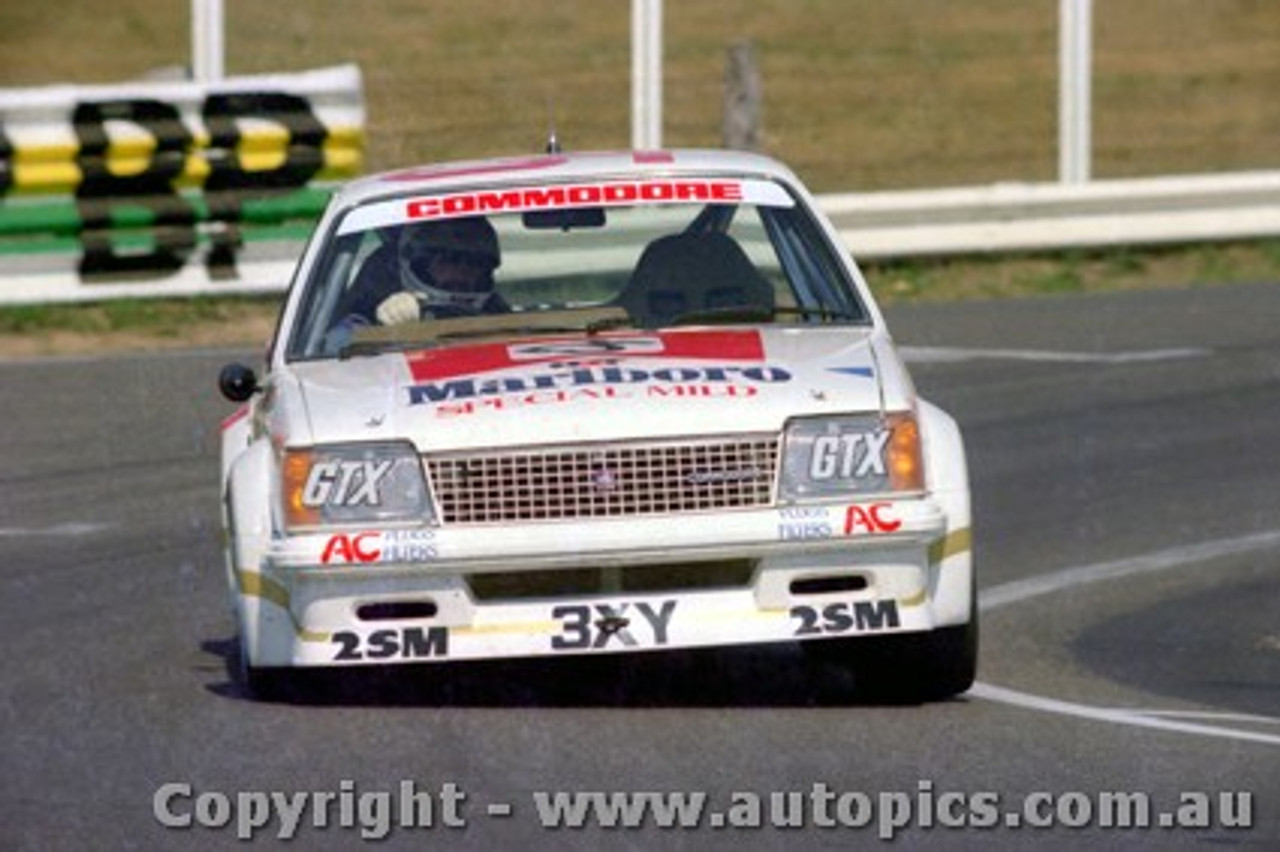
[(1020, 218)]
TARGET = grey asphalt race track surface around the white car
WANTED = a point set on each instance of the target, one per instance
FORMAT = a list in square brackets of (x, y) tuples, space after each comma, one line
[(1126, 473)]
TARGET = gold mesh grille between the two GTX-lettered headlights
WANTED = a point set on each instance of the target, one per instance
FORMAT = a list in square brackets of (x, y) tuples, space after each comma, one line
[(610, 480)]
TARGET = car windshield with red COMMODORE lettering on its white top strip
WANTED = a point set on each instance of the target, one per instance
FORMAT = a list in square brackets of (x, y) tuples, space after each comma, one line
[(580, 258)]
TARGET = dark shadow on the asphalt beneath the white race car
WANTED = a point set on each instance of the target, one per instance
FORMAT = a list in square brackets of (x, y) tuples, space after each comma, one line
[(751, 677)]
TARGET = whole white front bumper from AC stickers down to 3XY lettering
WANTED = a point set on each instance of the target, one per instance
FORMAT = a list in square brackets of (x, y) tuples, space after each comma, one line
[(729, 579)]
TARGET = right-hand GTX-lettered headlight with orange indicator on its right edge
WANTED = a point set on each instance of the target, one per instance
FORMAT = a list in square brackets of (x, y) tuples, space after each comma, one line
[(860, 455)]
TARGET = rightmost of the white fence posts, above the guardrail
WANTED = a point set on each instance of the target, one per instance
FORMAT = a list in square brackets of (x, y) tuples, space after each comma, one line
[(1076, 51)]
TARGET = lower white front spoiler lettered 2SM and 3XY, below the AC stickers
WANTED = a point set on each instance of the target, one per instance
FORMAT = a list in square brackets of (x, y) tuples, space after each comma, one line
[(313, 617)]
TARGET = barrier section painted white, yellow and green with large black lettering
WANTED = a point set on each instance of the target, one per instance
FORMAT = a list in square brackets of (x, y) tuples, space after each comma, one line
[(170, 189)]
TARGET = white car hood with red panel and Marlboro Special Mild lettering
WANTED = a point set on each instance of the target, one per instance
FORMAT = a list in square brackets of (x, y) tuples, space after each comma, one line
[(600, 388)]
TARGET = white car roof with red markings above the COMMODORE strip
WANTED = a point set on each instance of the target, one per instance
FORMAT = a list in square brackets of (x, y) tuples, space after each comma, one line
[(545, 168)]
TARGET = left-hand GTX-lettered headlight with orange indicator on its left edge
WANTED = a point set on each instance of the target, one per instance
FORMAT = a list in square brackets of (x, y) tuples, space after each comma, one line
[(349, 484)]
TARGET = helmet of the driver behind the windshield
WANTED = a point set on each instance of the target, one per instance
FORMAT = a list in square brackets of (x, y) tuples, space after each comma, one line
[(469, 242)]
